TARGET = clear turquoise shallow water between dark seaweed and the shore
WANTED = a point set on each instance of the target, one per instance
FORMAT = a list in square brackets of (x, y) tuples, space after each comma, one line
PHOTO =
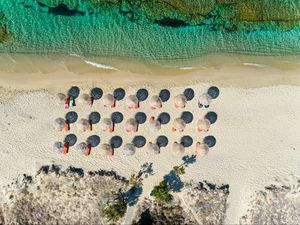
[(36, 31)]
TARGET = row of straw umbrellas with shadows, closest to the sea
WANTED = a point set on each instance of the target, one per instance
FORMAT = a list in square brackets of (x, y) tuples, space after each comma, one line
[(133, 100)]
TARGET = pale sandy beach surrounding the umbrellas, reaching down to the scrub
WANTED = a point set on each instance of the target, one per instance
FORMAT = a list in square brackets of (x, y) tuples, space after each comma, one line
[(257, 130)]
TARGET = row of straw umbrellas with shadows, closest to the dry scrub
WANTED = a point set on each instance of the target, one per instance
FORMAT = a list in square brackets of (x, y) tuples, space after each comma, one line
[(107, 149)]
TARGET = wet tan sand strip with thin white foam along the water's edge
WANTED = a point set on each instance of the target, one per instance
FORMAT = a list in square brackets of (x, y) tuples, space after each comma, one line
[(55, 72)]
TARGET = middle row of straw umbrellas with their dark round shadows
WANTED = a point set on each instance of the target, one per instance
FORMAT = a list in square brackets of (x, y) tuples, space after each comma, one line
[(132, 124)]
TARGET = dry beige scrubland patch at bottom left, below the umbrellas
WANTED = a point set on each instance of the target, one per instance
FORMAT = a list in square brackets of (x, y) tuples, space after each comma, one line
[(60, 197)]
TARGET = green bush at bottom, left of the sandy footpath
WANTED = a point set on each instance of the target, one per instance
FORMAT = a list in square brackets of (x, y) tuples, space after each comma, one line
[(115, 210)]
